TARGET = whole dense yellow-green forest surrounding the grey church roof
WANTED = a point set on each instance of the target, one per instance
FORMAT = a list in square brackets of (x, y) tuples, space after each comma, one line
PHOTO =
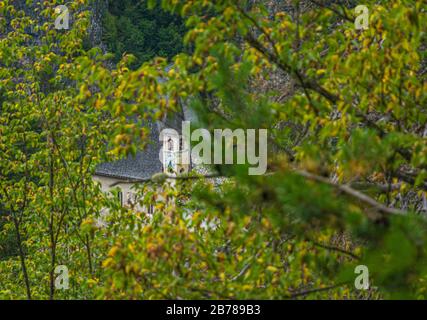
[(340, 212)]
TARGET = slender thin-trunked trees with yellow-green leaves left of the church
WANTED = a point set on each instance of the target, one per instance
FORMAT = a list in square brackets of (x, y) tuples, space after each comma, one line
[(52, 132)]
